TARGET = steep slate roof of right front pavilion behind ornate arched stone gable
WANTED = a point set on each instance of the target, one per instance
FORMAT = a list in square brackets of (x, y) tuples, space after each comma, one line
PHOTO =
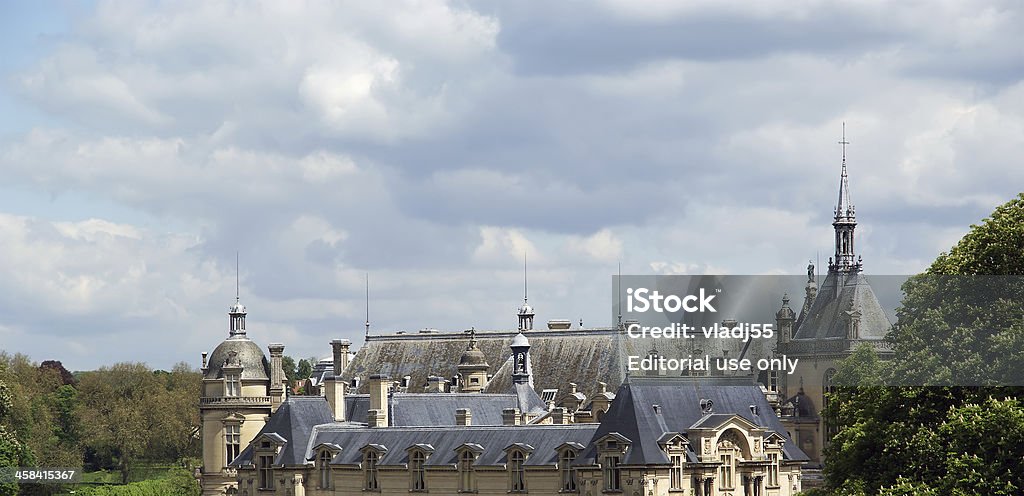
[(633, 415)]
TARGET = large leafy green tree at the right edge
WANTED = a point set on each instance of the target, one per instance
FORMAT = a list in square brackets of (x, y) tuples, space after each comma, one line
[(955, 427)]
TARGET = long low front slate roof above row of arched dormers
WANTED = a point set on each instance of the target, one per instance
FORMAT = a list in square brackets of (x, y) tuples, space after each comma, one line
[(445, 440)]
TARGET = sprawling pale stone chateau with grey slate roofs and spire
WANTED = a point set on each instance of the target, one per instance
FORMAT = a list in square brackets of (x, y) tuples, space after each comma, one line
[(539, 411)]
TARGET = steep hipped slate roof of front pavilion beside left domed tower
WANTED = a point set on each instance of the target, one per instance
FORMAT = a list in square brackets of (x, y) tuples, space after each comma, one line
[(294, 422)]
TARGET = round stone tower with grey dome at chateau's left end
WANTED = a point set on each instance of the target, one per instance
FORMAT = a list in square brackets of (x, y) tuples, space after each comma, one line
[(238, 396)]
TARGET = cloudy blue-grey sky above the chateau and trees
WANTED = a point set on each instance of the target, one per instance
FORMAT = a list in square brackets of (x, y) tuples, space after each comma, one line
[(433, 145)]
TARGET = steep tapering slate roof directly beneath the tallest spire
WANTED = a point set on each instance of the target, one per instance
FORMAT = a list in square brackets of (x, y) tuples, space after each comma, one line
[(840, 294)]
